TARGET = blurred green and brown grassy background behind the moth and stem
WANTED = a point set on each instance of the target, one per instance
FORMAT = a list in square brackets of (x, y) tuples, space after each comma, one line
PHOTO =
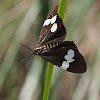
[(21, 21)]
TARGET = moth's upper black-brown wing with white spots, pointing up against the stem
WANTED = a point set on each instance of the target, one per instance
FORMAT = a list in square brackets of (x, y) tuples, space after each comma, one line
[(53, 29)]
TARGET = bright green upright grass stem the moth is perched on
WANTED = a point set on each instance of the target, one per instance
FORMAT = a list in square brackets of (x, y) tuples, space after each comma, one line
[(61, 12)]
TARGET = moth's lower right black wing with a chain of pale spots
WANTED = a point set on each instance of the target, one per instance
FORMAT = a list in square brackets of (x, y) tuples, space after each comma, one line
[(66, 56)]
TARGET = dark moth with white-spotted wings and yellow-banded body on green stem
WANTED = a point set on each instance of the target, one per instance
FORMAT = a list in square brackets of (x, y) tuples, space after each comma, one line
[(52, 47)]
